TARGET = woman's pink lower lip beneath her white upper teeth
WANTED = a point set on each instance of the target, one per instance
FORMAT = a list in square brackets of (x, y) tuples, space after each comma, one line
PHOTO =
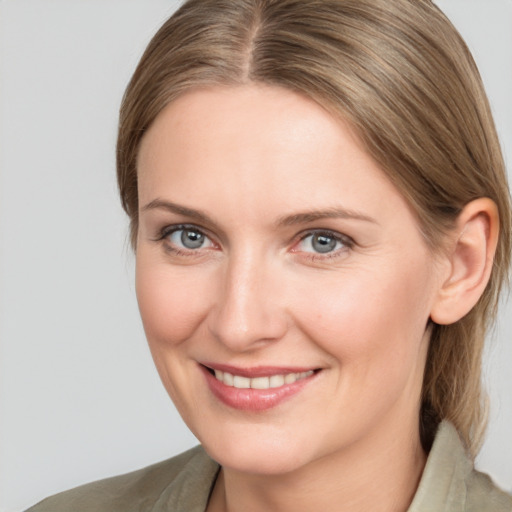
[(253, 399)]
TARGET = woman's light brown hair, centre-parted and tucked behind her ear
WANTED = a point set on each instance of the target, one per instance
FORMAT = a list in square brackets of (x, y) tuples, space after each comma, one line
[(401, 75)]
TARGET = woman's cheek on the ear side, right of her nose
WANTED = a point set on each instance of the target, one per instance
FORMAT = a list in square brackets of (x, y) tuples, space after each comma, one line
[(368, 317)]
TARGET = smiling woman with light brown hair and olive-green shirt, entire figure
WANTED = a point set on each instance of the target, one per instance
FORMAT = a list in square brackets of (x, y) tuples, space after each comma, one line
[(321, 221)]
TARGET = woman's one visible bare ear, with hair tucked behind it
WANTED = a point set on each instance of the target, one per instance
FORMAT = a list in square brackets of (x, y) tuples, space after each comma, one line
[(470, 258)]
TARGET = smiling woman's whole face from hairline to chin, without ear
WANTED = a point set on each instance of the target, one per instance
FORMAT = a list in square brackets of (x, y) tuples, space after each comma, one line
[(273, 252)]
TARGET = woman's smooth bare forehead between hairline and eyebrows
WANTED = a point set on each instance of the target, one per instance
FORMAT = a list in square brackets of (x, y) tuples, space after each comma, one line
[(248, 144)]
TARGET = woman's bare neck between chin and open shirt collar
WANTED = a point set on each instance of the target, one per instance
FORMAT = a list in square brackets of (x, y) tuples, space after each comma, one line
[(380, 473)]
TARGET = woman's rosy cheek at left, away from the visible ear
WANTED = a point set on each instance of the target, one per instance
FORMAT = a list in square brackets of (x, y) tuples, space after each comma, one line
[(172, 303)]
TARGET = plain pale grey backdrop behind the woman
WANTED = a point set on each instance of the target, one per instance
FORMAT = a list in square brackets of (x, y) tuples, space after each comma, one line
[(79, 397)]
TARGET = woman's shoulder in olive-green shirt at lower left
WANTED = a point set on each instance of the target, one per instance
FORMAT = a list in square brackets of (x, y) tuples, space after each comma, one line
[(142, 490)]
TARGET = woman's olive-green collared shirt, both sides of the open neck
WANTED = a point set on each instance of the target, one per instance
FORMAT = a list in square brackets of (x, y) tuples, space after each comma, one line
[(183, 484)]
